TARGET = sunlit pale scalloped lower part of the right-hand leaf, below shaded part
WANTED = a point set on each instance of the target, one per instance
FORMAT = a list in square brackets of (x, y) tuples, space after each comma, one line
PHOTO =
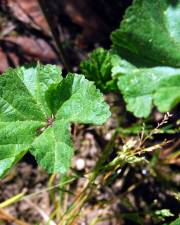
[(142, 88)]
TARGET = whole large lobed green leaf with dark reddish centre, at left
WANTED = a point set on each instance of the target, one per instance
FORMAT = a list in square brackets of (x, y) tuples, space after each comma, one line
[(37, 107)]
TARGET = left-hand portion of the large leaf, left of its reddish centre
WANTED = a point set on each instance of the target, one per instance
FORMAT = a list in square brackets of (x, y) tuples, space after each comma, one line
[(22, 111)]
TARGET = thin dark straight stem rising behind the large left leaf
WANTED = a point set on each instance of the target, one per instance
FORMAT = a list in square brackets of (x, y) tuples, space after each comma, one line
[(53, 28)]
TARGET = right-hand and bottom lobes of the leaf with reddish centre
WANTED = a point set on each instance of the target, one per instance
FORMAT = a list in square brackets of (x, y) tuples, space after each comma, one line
[(75, 99)]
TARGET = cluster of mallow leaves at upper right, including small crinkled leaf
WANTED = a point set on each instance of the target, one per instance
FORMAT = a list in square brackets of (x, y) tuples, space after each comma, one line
[(143, 63)]
